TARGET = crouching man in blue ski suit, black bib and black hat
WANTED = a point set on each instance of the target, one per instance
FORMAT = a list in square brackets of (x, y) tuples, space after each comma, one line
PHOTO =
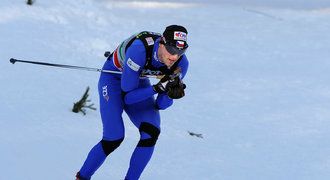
[(145, 53)]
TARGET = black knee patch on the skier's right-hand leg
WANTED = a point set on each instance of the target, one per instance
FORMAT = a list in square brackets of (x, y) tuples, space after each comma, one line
[(152, 131)]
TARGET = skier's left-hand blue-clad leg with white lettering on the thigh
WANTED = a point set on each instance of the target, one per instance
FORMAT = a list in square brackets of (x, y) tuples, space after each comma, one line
[(111, 108)]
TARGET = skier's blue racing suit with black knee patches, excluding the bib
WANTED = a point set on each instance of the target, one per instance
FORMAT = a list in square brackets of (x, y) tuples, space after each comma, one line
[(133, 94)]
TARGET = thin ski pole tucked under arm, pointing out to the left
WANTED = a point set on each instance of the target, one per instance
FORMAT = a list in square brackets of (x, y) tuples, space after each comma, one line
[(13, 61)]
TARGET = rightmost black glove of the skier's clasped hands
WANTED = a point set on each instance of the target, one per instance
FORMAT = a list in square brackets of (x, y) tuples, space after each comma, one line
[(175, 88)]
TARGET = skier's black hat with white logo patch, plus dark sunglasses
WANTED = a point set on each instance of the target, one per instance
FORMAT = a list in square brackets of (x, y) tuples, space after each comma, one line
[(175, 39)]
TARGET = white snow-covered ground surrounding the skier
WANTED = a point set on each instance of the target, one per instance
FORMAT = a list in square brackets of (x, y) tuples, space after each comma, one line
[(258, 89)]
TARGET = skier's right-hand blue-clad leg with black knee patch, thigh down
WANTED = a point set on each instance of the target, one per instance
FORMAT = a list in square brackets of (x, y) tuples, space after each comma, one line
[(146, 117)]
